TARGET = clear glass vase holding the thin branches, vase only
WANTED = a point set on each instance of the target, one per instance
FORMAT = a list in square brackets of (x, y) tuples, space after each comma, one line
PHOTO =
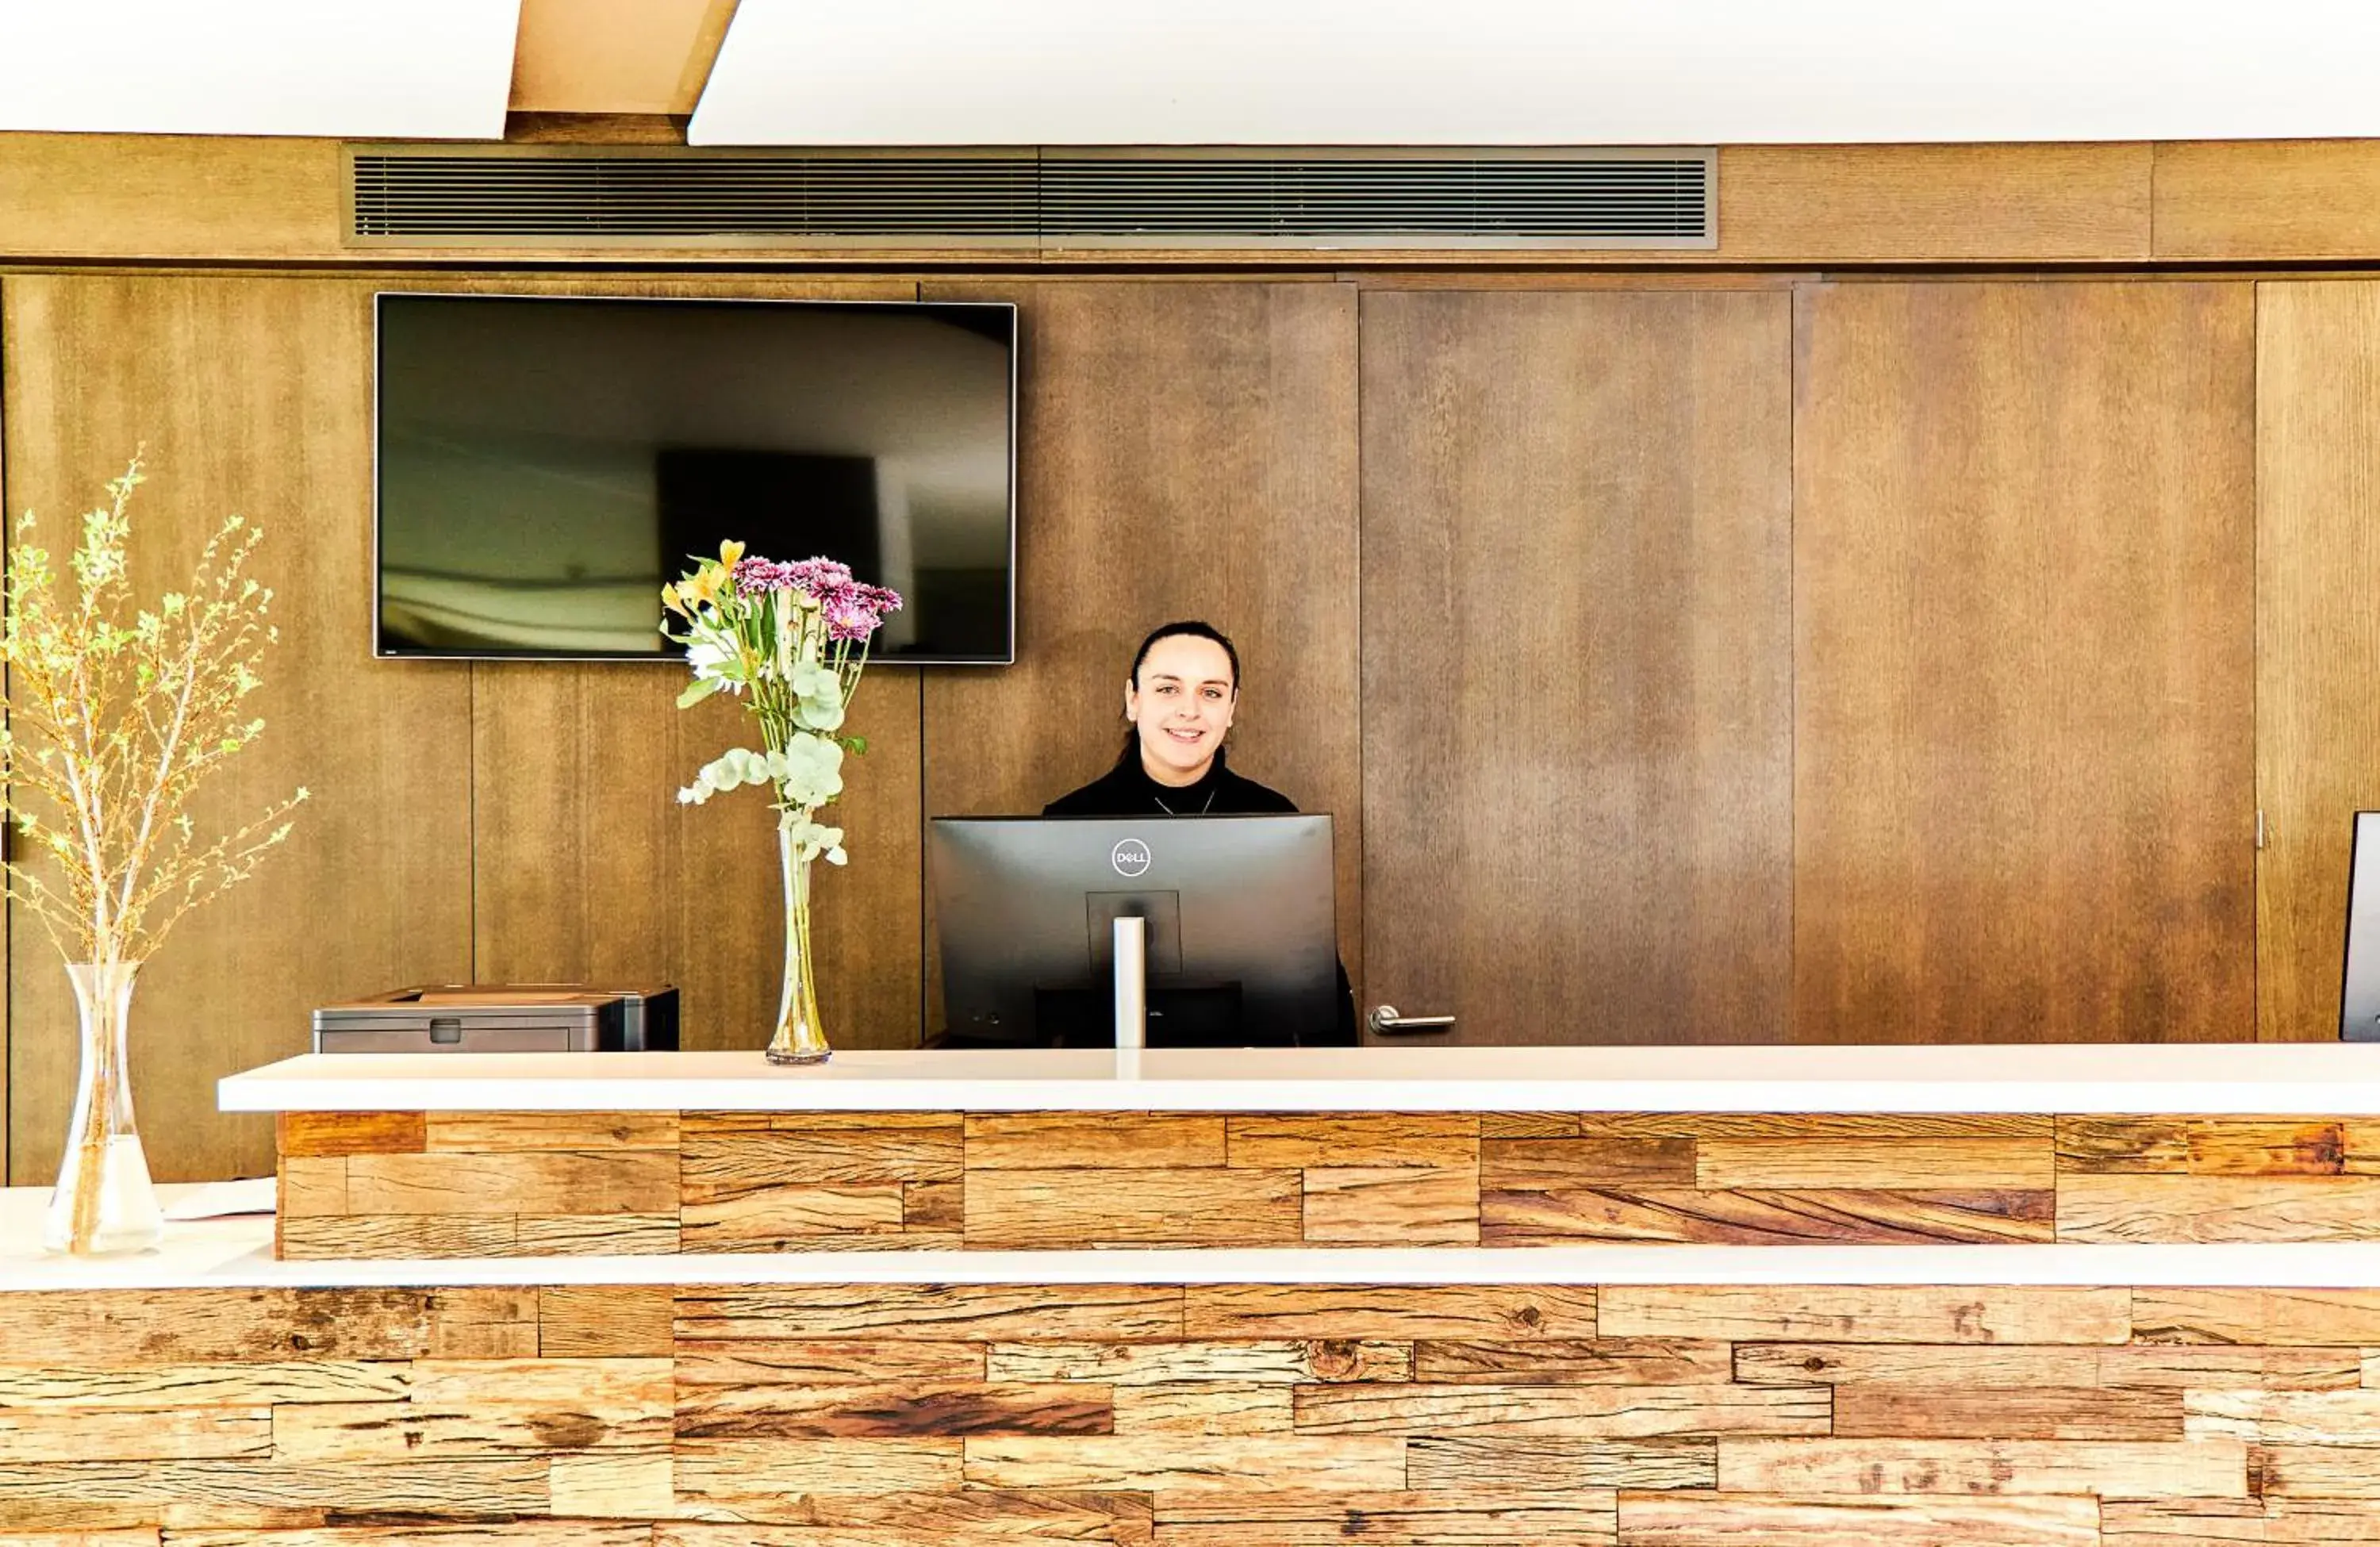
[(104, 1198)]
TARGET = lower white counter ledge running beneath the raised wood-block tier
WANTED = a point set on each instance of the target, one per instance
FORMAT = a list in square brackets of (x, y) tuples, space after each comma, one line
[(239, 1253)]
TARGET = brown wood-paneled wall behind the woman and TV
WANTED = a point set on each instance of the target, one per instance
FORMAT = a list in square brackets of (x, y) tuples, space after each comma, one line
[(1522, 577)]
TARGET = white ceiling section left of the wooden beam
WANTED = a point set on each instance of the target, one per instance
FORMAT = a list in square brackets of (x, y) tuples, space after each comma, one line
[(332, 68)]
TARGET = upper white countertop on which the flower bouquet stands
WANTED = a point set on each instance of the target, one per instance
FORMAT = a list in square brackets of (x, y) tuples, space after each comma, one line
[(2336, 1079)]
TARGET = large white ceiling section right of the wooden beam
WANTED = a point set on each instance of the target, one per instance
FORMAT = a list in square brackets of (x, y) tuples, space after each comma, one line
[(1532, 73)]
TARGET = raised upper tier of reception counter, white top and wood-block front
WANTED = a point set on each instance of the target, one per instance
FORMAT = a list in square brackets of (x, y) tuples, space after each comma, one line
[(1322, 1148)]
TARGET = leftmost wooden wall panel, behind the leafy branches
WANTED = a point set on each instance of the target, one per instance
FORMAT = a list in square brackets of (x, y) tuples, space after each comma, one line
[(253, 394)]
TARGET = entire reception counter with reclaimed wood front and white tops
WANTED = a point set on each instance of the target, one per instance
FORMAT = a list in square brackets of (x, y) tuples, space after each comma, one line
[(1667, 1298)]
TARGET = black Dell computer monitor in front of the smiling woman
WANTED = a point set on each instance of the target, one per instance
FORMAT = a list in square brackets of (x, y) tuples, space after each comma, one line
[(1244, 939)]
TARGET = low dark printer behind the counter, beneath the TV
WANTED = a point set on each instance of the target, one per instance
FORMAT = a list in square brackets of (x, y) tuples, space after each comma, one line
[(503, 1017)]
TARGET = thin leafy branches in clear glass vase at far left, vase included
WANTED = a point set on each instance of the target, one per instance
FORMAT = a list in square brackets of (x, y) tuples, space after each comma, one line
[(113, 722)]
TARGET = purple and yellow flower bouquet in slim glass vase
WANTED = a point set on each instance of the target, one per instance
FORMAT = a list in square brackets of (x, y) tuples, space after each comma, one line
[(791, 641)]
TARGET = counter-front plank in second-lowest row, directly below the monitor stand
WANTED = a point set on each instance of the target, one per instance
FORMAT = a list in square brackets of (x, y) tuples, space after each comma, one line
[(1167, 1463)]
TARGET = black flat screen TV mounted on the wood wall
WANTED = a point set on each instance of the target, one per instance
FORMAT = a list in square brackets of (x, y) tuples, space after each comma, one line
[(549, 463)]
